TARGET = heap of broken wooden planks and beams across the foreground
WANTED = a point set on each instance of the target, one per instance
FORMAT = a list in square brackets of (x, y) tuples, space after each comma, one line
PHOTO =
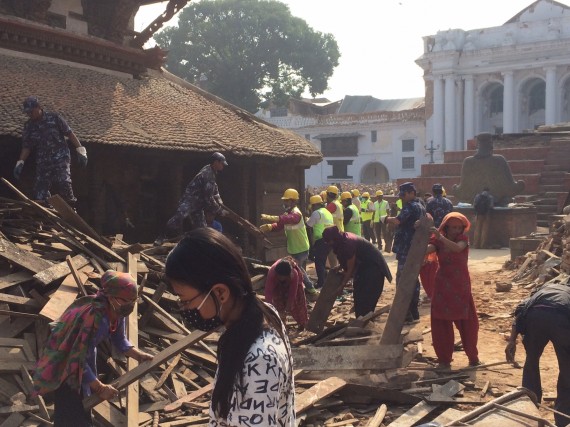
[(343, 375)]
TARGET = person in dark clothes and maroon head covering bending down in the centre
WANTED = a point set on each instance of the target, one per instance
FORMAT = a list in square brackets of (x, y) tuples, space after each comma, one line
[(361, 260)]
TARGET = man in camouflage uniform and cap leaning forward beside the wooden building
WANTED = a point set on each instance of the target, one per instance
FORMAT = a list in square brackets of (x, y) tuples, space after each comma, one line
[(201, 195)]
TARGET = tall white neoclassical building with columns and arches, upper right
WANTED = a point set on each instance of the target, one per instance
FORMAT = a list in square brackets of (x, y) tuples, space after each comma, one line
[(506, 79)]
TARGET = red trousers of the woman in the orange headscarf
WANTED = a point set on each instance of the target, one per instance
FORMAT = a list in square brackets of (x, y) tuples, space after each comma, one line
[(443, 337)]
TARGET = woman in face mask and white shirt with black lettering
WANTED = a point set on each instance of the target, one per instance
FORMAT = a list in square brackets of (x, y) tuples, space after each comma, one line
[(254, 380)]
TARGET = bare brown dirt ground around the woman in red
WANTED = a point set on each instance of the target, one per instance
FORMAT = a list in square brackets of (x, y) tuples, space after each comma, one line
[(494, 309)]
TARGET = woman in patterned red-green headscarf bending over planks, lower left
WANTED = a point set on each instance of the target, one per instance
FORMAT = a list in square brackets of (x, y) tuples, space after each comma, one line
[(68, 364)]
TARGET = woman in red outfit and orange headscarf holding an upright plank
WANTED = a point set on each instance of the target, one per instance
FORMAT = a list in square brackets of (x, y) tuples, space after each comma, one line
[(452, 301)]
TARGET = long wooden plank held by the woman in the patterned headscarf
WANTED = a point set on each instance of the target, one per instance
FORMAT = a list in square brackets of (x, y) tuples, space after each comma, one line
[(145, 367)]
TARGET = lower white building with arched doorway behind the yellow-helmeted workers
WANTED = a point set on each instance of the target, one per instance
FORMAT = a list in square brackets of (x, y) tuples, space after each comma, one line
[(363, 139)]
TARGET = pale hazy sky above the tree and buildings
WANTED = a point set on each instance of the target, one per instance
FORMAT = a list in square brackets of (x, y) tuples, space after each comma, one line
[(379, 40)]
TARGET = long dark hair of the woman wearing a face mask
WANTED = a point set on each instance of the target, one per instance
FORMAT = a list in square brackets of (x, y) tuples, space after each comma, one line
[(204, 258)]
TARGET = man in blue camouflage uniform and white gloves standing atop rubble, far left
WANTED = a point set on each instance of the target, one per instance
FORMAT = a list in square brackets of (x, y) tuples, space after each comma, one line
[(45, 134)]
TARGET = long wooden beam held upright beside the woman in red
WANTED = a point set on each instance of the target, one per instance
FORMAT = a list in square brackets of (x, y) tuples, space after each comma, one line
[(407, 282)]
